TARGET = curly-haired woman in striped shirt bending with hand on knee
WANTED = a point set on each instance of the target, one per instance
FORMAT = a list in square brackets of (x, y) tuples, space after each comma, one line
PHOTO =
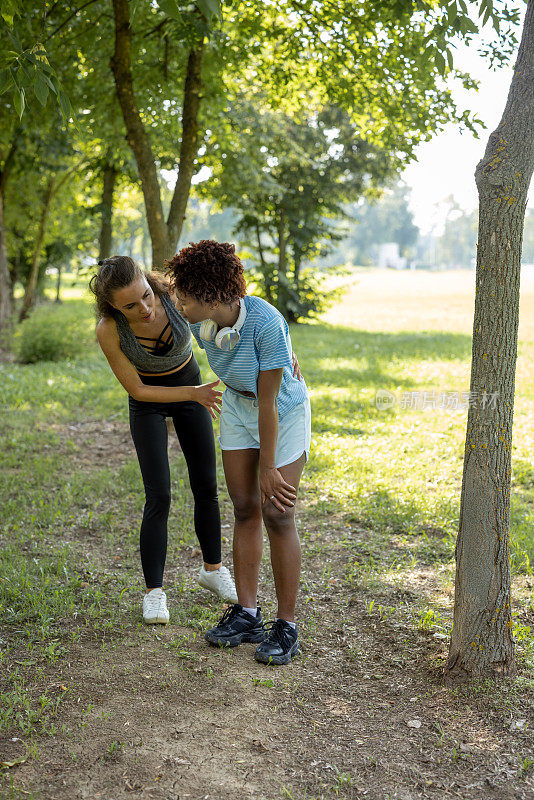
[(265, 435)]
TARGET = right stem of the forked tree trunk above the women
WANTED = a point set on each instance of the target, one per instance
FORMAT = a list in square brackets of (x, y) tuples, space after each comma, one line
[(189, 146)]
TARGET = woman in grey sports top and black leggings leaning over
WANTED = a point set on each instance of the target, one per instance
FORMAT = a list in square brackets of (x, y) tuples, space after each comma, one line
[(148, 346)]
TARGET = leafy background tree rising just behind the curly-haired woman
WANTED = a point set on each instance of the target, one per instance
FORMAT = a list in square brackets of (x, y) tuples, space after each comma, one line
[(288, 179)]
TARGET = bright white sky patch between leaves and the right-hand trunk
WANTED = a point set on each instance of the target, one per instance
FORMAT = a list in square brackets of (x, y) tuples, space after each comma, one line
[(446, 164)]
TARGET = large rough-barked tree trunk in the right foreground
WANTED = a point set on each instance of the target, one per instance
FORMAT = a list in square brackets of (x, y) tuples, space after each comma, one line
[(482, 643)]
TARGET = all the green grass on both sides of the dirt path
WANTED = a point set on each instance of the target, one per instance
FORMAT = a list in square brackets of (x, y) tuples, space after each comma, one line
[(395, 473)]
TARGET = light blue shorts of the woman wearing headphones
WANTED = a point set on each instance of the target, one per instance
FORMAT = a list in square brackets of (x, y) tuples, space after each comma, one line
[(239, 428)]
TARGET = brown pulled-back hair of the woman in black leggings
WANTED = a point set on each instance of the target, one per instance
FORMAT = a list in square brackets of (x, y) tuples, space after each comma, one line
[(116, 272)]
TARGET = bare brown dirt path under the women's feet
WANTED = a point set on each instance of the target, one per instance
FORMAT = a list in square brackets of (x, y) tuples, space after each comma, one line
[(156, 713)]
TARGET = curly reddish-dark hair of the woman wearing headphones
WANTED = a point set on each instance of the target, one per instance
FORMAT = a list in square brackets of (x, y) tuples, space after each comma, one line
[(209, 271)]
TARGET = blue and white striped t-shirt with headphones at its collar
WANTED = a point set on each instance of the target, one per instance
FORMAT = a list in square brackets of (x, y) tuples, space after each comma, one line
[(265, 344)]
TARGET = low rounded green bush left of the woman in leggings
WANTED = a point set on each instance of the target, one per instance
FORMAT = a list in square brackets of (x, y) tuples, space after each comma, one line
[(51, 334)]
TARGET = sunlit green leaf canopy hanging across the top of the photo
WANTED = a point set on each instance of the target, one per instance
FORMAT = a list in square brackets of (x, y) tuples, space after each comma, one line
[(380, 63)]
